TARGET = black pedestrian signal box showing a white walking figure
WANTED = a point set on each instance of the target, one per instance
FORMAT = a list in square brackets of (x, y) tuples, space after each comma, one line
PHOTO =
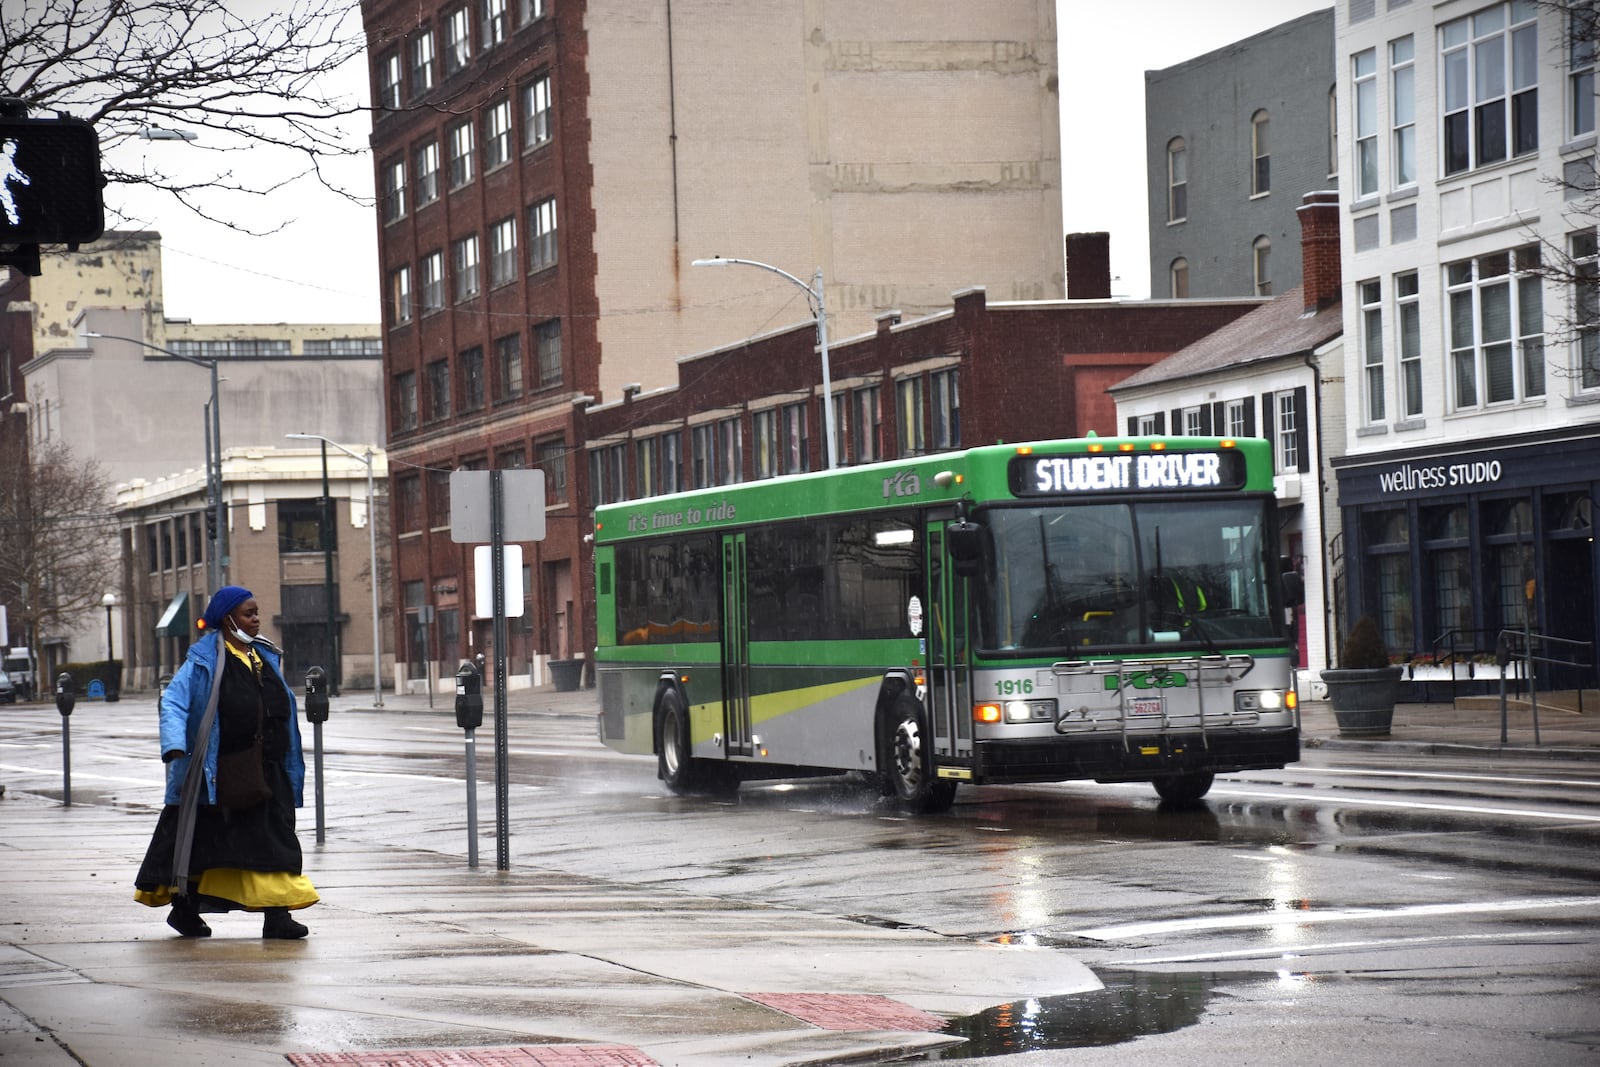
[(50, 182)]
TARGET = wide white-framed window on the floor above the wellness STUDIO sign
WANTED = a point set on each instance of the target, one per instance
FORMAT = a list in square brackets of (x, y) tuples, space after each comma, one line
[(1497, 329)]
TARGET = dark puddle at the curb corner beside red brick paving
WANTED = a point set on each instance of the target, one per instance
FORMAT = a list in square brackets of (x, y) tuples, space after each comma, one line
[(1134, 1004)]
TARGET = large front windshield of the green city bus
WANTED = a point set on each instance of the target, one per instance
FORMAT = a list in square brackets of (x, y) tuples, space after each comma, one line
[(1076, 578)]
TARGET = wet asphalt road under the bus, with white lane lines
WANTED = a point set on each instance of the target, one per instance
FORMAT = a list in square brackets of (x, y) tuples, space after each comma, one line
[(1356, 908)]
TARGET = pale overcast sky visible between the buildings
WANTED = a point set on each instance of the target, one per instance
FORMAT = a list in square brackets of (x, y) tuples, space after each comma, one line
[(322, 266)]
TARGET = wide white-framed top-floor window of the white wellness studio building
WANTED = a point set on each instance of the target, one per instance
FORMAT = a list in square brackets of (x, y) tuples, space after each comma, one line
[(1492, 86)]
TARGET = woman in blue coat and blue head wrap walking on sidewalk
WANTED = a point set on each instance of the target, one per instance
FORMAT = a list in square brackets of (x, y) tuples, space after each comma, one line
[(234, 777)]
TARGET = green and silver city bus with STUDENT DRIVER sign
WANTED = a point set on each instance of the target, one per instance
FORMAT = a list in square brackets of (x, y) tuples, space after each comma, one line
[(1100, 609)]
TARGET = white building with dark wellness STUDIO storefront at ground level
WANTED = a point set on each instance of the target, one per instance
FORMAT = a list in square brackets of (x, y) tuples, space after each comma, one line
[(1473, 388)]
